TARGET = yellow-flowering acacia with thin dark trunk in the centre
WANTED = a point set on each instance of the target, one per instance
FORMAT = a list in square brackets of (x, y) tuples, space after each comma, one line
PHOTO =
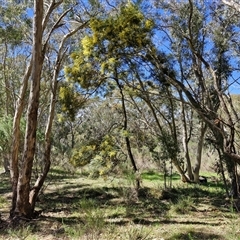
[(112, 42)]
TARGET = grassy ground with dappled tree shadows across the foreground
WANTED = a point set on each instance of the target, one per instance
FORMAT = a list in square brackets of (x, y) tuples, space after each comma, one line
[(76, 207)]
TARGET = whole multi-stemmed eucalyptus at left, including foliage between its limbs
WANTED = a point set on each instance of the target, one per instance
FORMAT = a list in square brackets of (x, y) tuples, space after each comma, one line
[(54, 24)]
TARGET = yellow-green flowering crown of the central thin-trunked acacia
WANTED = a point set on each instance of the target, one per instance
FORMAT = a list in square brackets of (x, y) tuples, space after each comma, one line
[(110, 41)]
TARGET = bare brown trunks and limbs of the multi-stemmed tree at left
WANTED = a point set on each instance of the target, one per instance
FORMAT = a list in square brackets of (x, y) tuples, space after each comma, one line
[(24, 198)]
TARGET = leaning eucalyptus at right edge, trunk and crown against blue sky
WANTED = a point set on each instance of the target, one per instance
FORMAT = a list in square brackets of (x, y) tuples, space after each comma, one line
[(202, 31)]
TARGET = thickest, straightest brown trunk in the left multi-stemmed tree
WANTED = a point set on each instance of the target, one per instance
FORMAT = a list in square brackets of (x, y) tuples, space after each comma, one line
[(23, 207)]
